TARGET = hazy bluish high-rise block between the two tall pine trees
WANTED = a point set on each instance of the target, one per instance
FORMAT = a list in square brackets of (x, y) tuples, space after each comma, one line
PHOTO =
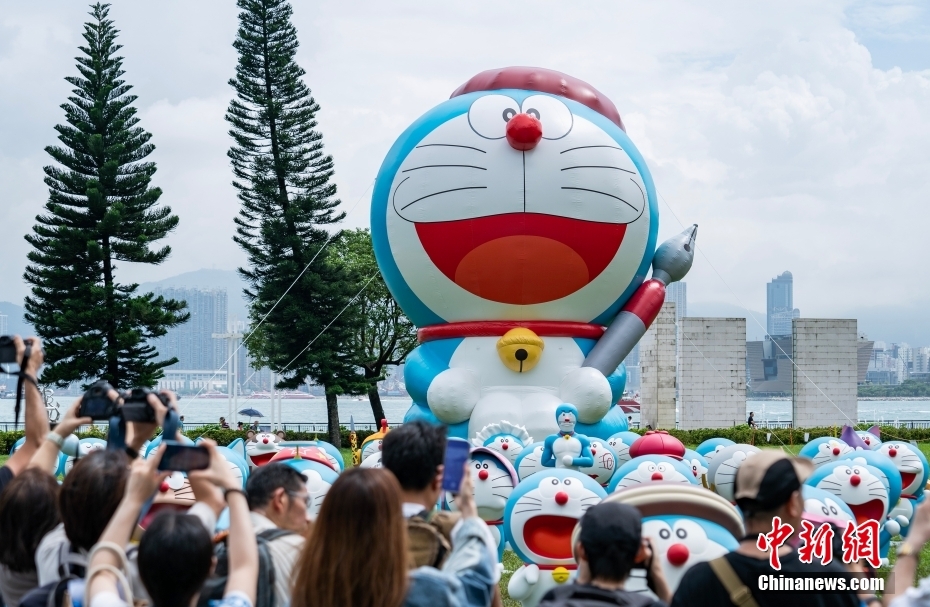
[(192, 343)]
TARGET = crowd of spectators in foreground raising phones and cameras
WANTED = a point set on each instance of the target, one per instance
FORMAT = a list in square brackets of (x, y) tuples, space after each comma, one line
[(378, 541)]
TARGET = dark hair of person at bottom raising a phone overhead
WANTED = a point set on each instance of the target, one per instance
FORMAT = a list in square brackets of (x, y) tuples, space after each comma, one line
[(175, 558)]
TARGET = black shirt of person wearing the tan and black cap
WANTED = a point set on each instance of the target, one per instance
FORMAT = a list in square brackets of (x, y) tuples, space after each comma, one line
[(700, 585)]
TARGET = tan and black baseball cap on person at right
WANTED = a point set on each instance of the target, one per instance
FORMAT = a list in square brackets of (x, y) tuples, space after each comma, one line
[(767, 479)]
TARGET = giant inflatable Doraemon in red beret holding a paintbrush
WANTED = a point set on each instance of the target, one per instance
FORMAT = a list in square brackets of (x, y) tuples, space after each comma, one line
[(512, 222)]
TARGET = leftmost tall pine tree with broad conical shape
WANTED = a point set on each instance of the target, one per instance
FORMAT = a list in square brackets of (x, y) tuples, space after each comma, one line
[(101, 210)]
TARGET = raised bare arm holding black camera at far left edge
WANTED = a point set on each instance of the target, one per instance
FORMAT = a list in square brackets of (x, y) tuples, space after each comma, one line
[(29, 356)]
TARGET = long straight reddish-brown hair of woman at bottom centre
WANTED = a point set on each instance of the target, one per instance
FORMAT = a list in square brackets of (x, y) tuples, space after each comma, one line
[(360, 531)]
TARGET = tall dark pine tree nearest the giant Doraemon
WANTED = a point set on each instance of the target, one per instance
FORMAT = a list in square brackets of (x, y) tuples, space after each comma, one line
[(284, 183)]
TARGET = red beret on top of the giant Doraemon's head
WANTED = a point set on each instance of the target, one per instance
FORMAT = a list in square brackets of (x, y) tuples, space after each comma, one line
[(545, 81)]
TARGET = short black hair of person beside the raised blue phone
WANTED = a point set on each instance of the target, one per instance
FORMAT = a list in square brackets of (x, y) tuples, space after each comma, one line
[(413, 452)]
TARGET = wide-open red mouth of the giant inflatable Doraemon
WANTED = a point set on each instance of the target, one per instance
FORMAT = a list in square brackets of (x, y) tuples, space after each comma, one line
[(521, 258)]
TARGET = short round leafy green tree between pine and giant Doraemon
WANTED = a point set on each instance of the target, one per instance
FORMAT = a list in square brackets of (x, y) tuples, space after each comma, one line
[(386, 336)]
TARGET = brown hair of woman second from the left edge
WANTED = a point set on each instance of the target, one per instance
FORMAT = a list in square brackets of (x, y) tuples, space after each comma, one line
[(90, 494)]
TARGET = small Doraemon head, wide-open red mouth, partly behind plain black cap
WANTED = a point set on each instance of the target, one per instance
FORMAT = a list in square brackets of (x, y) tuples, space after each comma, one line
[(542, 512)]
